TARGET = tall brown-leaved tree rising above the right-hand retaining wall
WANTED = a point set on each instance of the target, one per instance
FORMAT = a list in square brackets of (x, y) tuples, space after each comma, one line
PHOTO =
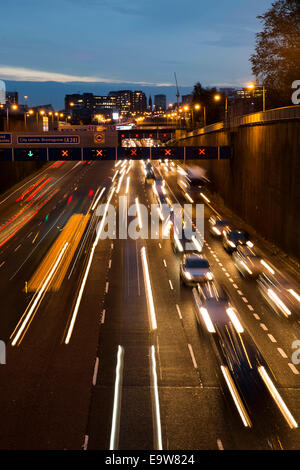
[(276, 61)]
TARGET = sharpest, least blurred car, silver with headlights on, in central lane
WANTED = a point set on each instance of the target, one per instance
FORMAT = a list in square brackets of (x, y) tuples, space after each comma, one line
[(194, 268)]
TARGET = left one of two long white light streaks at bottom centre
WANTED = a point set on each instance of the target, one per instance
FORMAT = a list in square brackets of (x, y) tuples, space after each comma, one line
[(115, 425)]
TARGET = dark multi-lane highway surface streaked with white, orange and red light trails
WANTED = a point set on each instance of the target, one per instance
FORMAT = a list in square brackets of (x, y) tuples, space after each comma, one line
[(103, 346)]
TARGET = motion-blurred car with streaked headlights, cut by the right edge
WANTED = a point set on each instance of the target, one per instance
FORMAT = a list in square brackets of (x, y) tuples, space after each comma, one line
[(280, 295)]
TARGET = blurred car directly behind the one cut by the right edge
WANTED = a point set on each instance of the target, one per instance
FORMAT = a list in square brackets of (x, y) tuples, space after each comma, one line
[(247, 261)]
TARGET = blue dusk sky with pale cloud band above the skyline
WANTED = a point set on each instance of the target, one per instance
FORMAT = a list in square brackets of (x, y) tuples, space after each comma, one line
[(138, 41)]
